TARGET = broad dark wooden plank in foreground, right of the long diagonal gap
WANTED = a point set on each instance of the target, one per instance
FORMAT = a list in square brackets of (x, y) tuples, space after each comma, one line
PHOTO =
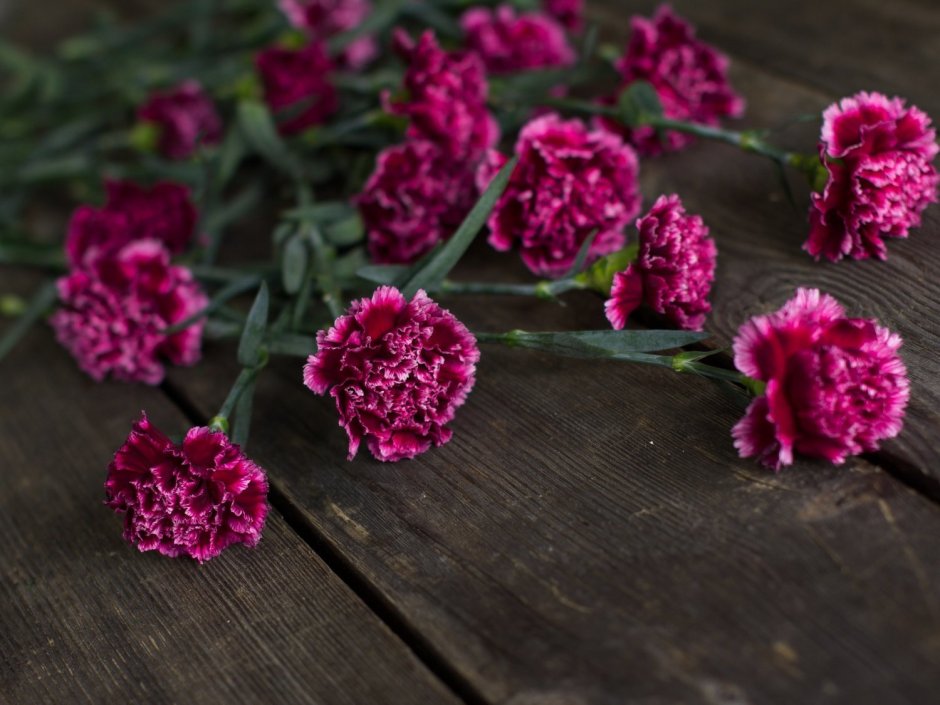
[(589, 536)]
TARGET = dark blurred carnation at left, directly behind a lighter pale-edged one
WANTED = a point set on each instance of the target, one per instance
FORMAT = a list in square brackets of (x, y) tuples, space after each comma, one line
[(164, 212)]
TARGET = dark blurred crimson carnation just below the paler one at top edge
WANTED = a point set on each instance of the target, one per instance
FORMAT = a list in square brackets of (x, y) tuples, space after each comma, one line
[(297, 86)]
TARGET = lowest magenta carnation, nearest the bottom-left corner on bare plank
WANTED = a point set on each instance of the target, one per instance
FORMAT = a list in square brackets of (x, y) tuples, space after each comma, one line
[(194, 499)]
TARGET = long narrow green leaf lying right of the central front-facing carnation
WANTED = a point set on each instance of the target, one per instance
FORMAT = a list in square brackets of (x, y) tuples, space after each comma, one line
[(603, 343)]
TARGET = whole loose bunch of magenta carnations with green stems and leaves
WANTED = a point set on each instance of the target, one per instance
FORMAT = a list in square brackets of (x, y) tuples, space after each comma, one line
[(388, 135)]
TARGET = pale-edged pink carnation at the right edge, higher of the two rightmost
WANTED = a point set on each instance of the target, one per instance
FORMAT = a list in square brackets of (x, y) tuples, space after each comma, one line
[(879, 155)]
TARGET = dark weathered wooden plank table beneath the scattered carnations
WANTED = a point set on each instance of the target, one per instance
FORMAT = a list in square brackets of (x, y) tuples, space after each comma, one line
[(589, 536)]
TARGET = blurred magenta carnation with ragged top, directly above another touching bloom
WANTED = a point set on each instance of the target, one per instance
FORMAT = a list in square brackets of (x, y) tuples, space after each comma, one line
[(446, 99)]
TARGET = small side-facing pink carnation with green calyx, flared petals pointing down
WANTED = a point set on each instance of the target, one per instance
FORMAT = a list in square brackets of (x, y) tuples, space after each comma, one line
[(673, 271)]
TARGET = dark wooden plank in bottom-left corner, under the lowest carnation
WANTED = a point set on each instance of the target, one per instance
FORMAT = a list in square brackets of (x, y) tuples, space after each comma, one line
[(85, 618)]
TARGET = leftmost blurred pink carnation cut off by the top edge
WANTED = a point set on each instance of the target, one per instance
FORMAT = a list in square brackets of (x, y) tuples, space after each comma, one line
[(323, 19)]
